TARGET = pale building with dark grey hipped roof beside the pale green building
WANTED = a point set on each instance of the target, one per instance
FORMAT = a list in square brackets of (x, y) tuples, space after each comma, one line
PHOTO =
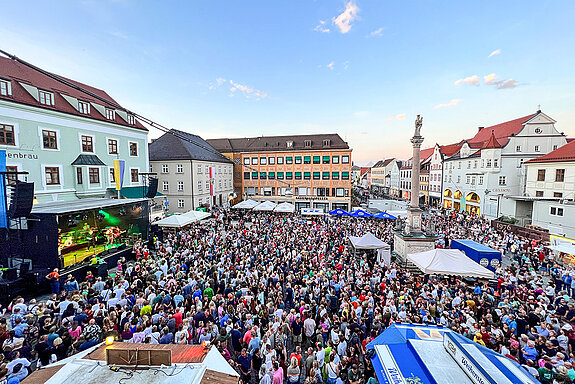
[(190, 172)]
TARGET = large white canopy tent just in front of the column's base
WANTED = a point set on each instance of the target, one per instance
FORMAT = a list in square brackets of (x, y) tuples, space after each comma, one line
[(448, 262)]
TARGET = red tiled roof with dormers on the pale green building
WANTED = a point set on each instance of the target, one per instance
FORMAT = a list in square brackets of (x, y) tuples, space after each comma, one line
[(20, 73)]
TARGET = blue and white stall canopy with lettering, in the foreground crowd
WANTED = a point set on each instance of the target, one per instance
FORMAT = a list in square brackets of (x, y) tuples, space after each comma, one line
[(428, 354)]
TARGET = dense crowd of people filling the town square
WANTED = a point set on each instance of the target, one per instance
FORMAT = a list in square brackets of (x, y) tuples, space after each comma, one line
[(285, 300)]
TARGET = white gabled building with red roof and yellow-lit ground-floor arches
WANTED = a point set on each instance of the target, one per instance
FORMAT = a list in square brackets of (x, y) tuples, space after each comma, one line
[(488, 168)]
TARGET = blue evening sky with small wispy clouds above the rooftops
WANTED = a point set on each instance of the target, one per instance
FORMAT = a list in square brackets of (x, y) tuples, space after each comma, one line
[(362, 69)]
